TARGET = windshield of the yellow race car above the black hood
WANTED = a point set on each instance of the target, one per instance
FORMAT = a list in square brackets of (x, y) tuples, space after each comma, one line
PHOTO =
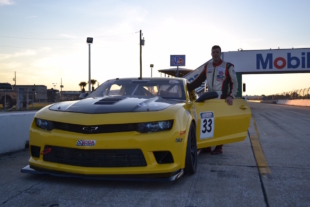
[(165, 88)]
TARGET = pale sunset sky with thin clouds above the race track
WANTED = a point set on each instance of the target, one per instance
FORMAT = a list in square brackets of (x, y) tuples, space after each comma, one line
[(44, 41)]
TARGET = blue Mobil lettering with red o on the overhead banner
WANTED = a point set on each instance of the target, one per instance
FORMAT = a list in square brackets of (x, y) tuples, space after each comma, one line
[(289, 61)]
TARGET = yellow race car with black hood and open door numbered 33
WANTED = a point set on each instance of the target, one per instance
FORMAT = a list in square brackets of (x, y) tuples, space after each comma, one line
[(133, 129)]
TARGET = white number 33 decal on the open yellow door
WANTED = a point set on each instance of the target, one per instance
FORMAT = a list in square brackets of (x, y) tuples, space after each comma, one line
[(206, 125)]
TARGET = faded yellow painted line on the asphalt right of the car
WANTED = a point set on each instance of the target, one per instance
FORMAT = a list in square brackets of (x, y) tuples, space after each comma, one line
[(257, 149)]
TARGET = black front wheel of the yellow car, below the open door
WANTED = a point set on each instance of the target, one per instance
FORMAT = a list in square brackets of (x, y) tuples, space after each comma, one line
[(191, 152)]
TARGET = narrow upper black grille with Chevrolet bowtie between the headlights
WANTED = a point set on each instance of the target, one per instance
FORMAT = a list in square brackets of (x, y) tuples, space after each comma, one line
[(110, 128)]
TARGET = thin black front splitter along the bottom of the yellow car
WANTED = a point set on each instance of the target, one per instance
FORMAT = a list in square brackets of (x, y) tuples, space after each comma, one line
[(167, 177)]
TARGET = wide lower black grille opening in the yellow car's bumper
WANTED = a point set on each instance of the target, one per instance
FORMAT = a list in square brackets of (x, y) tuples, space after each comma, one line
[(96, 157)]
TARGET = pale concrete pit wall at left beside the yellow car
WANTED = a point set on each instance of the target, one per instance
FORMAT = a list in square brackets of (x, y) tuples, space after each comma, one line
[(14, 130)]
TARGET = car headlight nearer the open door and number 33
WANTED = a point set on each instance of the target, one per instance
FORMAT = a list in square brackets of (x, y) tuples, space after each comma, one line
[(155, 126)]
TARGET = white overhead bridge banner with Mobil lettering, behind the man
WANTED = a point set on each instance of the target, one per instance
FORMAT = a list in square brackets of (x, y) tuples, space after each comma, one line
[(270, 61)]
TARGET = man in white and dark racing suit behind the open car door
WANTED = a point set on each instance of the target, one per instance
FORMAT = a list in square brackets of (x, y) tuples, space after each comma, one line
[(221, 78)]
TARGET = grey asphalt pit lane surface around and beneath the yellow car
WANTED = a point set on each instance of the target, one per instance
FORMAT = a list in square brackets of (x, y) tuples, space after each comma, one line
[(230, 179)]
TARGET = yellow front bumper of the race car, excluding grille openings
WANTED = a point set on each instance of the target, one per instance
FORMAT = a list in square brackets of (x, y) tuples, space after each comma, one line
[(148, 143)]
